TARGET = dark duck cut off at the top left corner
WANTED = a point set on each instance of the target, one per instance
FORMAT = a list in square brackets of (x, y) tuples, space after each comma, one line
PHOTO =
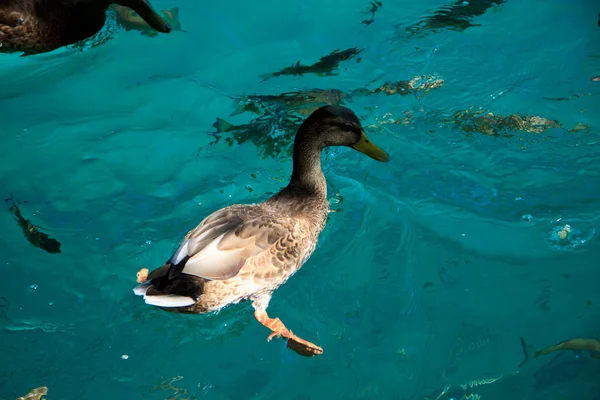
[(40, 26)]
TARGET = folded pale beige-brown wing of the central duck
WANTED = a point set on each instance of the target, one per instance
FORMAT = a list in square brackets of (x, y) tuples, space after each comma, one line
[(219, 247)]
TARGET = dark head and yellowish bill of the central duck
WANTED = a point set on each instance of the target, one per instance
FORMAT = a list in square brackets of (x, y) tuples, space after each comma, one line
[(338, 126)]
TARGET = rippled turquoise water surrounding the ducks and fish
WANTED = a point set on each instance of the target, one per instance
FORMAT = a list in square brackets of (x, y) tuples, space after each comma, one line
[(435, 265)]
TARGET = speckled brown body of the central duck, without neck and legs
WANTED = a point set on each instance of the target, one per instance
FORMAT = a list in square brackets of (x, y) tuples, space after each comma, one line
[(271, 240)]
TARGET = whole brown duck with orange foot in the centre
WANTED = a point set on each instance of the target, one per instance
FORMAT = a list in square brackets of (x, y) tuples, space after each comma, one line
[(244, 252)]
